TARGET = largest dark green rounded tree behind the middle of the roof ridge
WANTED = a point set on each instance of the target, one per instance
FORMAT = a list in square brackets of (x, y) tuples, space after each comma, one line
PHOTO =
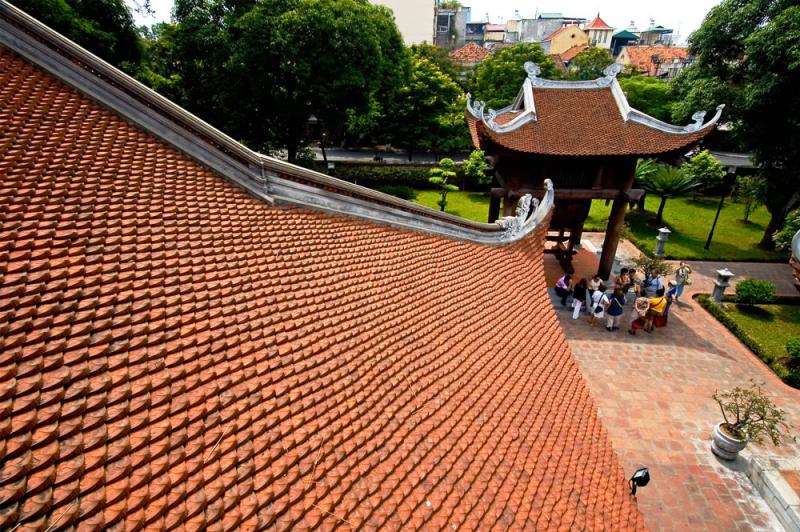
[(258, 71)]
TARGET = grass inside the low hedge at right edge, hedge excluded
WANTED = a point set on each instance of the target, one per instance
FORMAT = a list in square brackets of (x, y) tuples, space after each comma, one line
[(770, 326)]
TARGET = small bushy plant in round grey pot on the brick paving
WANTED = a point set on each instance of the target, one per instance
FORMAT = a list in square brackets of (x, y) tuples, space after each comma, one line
[(748, 415)]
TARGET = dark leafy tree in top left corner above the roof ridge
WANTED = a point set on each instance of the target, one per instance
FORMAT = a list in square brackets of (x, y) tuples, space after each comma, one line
[(104, 27)]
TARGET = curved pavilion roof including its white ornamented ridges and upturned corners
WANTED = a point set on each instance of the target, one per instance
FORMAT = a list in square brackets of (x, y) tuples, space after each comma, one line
[(579, 118)]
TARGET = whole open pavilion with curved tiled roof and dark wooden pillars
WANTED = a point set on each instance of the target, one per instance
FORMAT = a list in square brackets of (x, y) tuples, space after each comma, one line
[(586, 138)]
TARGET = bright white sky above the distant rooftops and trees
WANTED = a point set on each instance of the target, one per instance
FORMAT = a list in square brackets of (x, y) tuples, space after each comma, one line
[(683, 16)]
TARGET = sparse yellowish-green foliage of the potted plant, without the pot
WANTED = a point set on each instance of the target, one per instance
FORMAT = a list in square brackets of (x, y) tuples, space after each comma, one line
[(751, 415)]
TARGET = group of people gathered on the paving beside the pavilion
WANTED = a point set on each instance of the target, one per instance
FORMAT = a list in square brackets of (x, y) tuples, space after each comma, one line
[(651, 304)]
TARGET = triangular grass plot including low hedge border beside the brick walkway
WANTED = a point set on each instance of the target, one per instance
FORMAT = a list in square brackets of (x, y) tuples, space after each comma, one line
[(765, 329)]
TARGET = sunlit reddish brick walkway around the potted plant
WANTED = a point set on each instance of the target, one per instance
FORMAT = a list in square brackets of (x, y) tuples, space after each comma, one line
[(654, 396)]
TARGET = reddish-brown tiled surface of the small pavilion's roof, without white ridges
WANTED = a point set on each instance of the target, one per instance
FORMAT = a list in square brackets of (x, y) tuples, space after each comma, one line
[(581, 122)]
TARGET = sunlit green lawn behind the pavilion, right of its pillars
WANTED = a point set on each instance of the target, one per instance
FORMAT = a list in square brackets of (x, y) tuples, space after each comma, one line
[(690, 220)]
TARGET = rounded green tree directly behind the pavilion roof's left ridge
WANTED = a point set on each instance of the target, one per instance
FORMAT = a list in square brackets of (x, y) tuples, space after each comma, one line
[(498, 79)]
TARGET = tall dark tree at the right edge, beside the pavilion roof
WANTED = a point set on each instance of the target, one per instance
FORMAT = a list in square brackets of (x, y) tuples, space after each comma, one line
[(747, 55)]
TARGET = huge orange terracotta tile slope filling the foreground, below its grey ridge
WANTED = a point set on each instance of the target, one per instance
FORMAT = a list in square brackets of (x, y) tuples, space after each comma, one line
[(177, 353)]
